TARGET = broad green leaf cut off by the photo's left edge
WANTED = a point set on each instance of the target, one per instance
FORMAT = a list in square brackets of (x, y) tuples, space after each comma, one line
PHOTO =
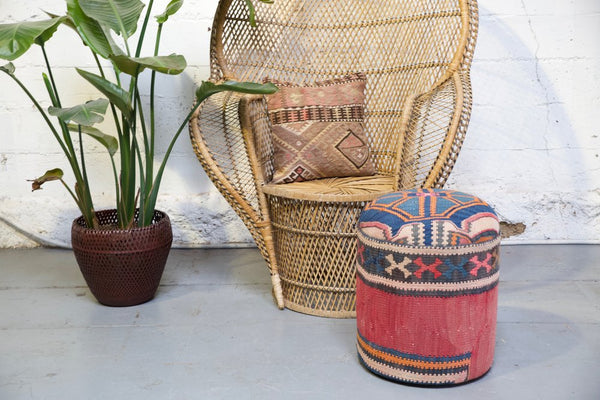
[(17, 38)]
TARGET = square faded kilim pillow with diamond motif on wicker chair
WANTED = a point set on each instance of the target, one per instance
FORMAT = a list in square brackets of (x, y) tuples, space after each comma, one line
[(318, 130)]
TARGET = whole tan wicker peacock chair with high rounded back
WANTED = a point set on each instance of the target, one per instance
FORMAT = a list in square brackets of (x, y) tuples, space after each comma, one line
[(416, 55)]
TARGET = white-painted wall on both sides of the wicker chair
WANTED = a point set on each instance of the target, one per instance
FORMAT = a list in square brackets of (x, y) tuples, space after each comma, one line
[(533, 148)]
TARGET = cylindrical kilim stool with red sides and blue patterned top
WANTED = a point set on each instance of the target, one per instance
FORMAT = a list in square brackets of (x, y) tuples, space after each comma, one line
[(427, 286)]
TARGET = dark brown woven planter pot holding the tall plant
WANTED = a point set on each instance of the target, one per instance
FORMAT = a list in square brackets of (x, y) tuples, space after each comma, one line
[(122, 267)]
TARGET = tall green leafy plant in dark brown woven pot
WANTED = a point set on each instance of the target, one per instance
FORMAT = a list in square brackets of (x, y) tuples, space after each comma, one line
[(121, 252)]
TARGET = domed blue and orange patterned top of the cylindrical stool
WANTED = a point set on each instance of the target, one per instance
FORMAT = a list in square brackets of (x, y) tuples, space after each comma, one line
[(430, 218)]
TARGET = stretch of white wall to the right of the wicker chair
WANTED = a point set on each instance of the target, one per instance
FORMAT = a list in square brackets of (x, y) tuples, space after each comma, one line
[(533, 148)]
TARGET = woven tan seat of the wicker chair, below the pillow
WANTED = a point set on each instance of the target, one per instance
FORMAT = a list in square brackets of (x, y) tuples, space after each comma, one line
[(360, 188)]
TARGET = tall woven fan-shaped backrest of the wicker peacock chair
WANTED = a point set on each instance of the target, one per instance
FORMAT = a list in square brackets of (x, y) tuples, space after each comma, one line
[(403, 46)]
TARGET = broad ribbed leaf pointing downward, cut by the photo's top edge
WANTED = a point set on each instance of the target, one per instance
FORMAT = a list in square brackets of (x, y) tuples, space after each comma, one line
[(119, 15)]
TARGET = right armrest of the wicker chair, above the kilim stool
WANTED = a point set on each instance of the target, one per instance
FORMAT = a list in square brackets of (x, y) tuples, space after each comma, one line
[(433, 127)]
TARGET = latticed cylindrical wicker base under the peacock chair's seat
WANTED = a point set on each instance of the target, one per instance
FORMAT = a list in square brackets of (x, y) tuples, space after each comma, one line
[(315, 244)]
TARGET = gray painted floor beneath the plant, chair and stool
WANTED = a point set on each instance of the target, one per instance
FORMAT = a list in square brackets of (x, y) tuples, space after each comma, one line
[(213, 332)]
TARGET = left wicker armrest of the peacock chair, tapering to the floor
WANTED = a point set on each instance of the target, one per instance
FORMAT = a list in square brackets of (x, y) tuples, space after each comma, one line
[(224, 145)]
